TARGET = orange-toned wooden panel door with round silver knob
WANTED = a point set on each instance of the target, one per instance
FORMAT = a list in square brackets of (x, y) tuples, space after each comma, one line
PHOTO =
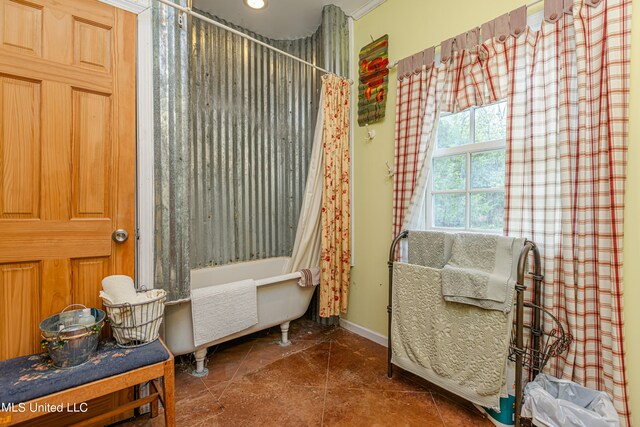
[(67, 158)]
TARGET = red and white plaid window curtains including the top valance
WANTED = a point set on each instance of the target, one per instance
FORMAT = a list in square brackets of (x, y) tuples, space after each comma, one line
[(567, 88)]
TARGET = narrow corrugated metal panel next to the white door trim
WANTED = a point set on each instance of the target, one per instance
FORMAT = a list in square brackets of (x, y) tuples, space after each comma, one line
[(172, 151)]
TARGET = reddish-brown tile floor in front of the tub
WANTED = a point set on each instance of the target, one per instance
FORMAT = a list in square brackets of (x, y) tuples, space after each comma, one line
[(327, 377)]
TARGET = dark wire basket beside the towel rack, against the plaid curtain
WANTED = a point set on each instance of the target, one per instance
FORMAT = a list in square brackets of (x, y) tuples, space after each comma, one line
[(552, 343)]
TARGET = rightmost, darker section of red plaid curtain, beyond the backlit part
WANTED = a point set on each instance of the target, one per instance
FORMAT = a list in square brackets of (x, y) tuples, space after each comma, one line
[(603, 42)]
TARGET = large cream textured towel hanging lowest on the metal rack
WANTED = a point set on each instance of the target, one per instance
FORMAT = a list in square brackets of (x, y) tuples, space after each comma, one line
[(459, 347)]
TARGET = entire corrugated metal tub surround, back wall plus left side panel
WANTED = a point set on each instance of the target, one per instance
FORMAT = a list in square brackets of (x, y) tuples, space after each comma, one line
[(234, 128)]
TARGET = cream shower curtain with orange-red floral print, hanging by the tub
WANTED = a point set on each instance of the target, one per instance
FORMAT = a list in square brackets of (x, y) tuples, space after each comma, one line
[(335, 261)]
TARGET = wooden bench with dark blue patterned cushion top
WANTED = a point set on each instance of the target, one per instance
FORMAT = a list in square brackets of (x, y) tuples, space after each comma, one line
[(31, 385)]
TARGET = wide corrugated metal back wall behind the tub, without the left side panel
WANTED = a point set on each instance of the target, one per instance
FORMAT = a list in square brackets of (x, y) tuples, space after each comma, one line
[(254, 118)]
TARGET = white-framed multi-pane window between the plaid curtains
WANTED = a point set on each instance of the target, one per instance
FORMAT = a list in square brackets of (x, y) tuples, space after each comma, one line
[(466, 191)]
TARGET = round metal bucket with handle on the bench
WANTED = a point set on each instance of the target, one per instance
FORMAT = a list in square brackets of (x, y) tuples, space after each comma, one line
[(69, 342)]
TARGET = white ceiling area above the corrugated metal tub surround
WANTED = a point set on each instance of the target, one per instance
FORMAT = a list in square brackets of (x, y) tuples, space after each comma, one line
[(281, 19)]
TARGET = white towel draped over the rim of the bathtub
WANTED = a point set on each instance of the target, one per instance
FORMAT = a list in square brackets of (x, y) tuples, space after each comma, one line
[(222, 310)]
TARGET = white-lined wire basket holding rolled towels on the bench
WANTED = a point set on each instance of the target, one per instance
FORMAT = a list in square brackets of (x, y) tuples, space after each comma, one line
[(138, 324)]
